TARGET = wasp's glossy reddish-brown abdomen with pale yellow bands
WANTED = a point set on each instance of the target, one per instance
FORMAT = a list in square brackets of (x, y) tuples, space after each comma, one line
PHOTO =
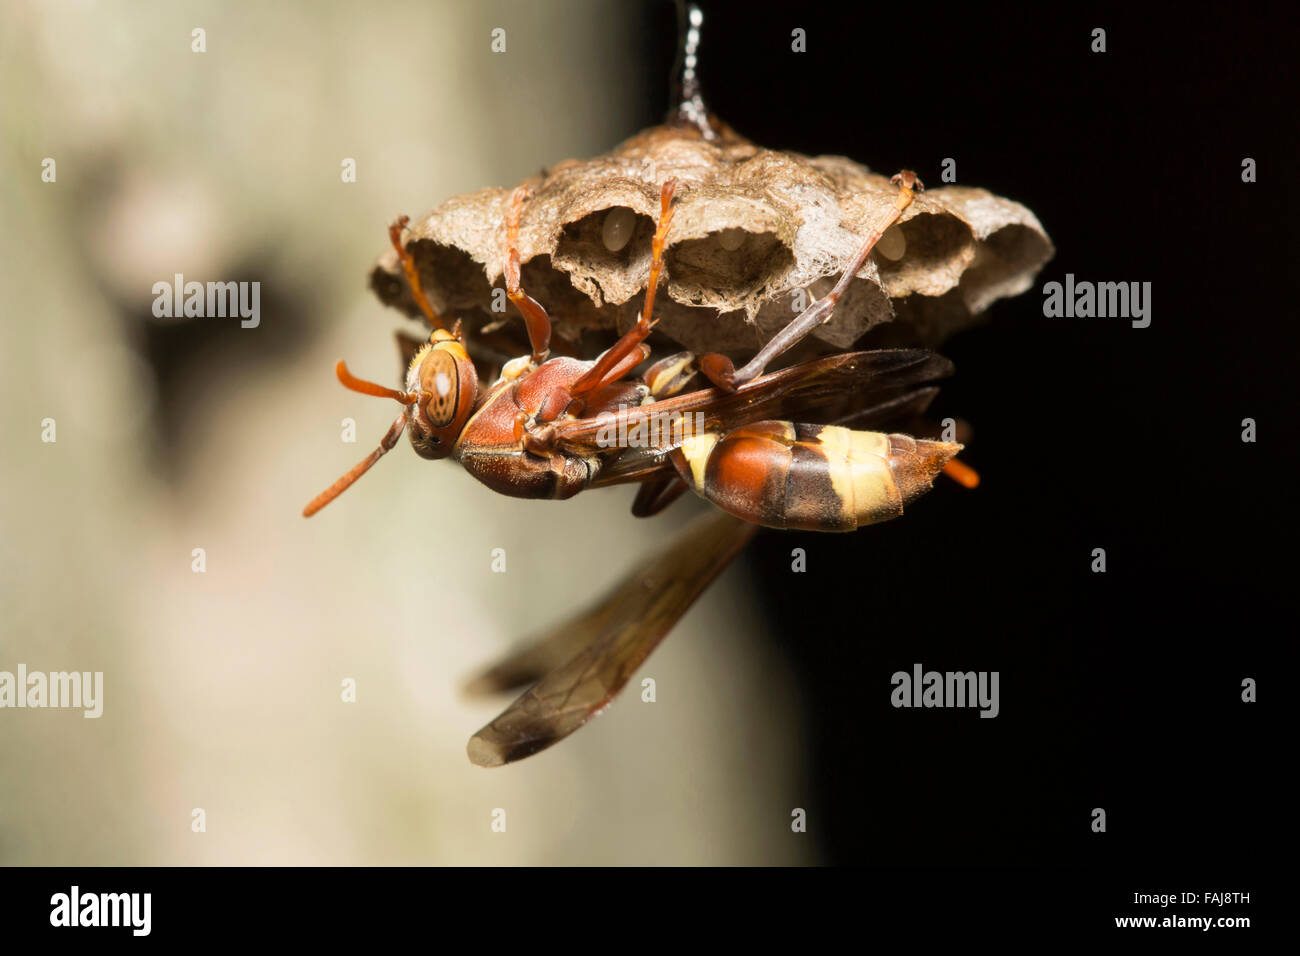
[(811, 478)]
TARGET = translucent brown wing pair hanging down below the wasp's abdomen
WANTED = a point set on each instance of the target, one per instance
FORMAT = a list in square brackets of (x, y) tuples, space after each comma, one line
[(622, 631)]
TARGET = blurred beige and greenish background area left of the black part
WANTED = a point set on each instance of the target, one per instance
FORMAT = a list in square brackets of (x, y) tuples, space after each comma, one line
[(223, 690)]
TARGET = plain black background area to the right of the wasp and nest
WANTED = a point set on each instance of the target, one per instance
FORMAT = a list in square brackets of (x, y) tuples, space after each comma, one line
[(1119, 690)]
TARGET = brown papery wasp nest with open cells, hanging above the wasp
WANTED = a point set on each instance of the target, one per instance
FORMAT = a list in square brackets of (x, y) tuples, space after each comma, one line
[(756, 236)]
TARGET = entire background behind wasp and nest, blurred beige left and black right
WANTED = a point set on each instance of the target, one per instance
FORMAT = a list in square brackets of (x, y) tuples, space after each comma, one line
[(223, 689)]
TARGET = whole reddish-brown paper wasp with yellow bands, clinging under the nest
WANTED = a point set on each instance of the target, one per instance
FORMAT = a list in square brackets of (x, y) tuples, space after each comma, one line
[(541, 431)]
